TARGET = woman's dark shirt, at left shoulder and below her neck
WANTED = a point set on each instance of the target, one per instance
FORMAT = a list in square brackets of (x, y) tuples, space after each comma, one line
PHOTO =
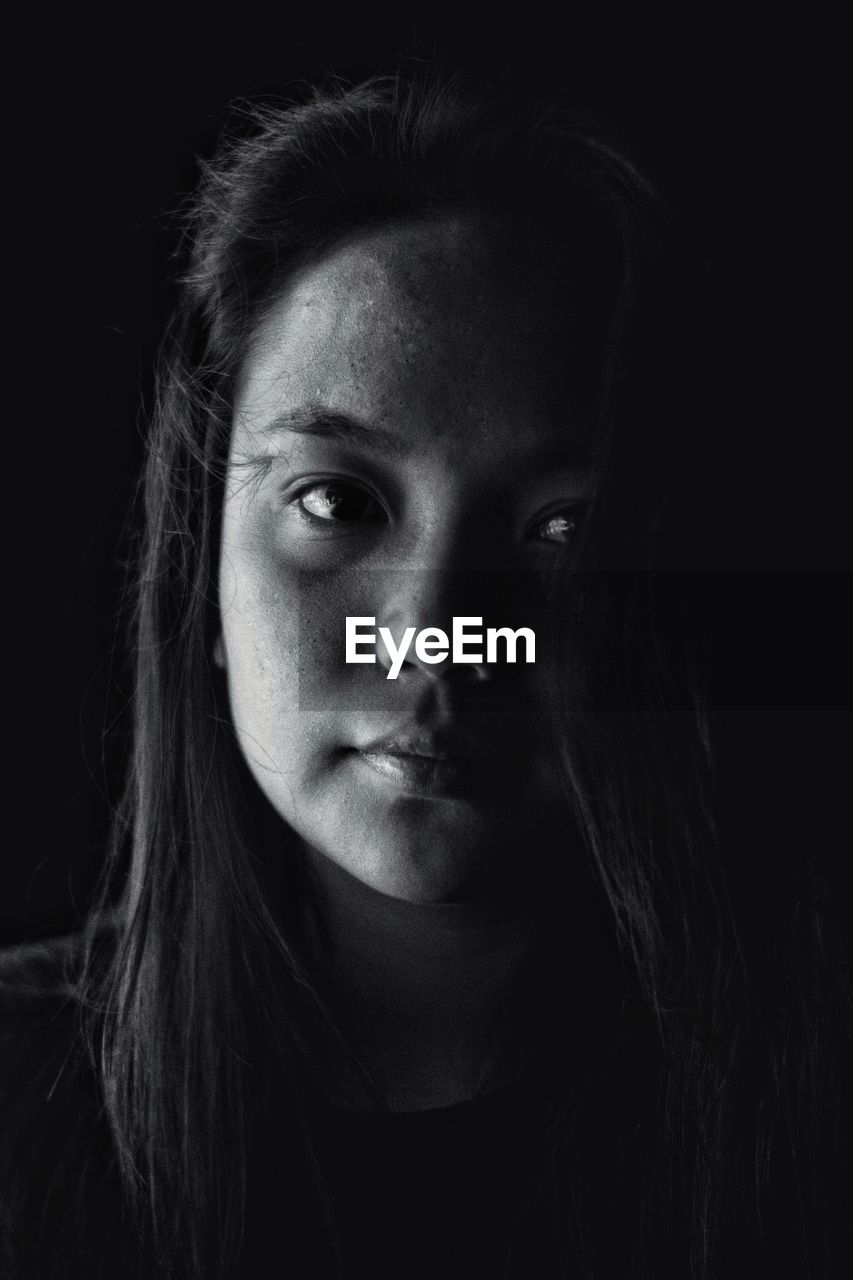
[(445, 1192)]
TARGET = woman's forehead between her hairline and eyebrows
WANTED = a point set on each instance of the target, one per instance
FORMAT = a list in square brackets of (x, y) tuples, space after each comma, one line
[(444, 331)]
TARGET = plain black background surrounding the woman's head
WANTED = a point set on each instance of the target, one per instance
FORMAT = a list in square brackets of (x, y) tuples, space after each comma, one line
[(735, 120)]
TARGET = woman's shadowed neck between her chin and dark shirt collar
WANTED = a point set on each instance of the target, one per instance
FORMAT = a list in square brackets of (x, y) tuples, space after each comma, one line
[(419, 991)]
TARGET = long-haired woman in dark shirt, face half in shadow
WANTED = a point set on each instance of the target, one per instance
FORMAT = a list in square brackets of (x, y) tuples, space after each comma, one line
[(421, 967)]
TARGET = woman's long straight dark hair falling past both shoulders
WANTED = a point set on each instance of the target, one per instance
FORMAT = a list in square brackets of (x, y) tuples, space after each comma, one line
[(199, 979)]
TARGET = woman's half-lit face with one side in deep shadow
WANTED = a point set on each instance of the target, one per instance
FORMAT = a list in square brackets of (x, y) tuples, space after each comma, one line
[(409, 447)]
